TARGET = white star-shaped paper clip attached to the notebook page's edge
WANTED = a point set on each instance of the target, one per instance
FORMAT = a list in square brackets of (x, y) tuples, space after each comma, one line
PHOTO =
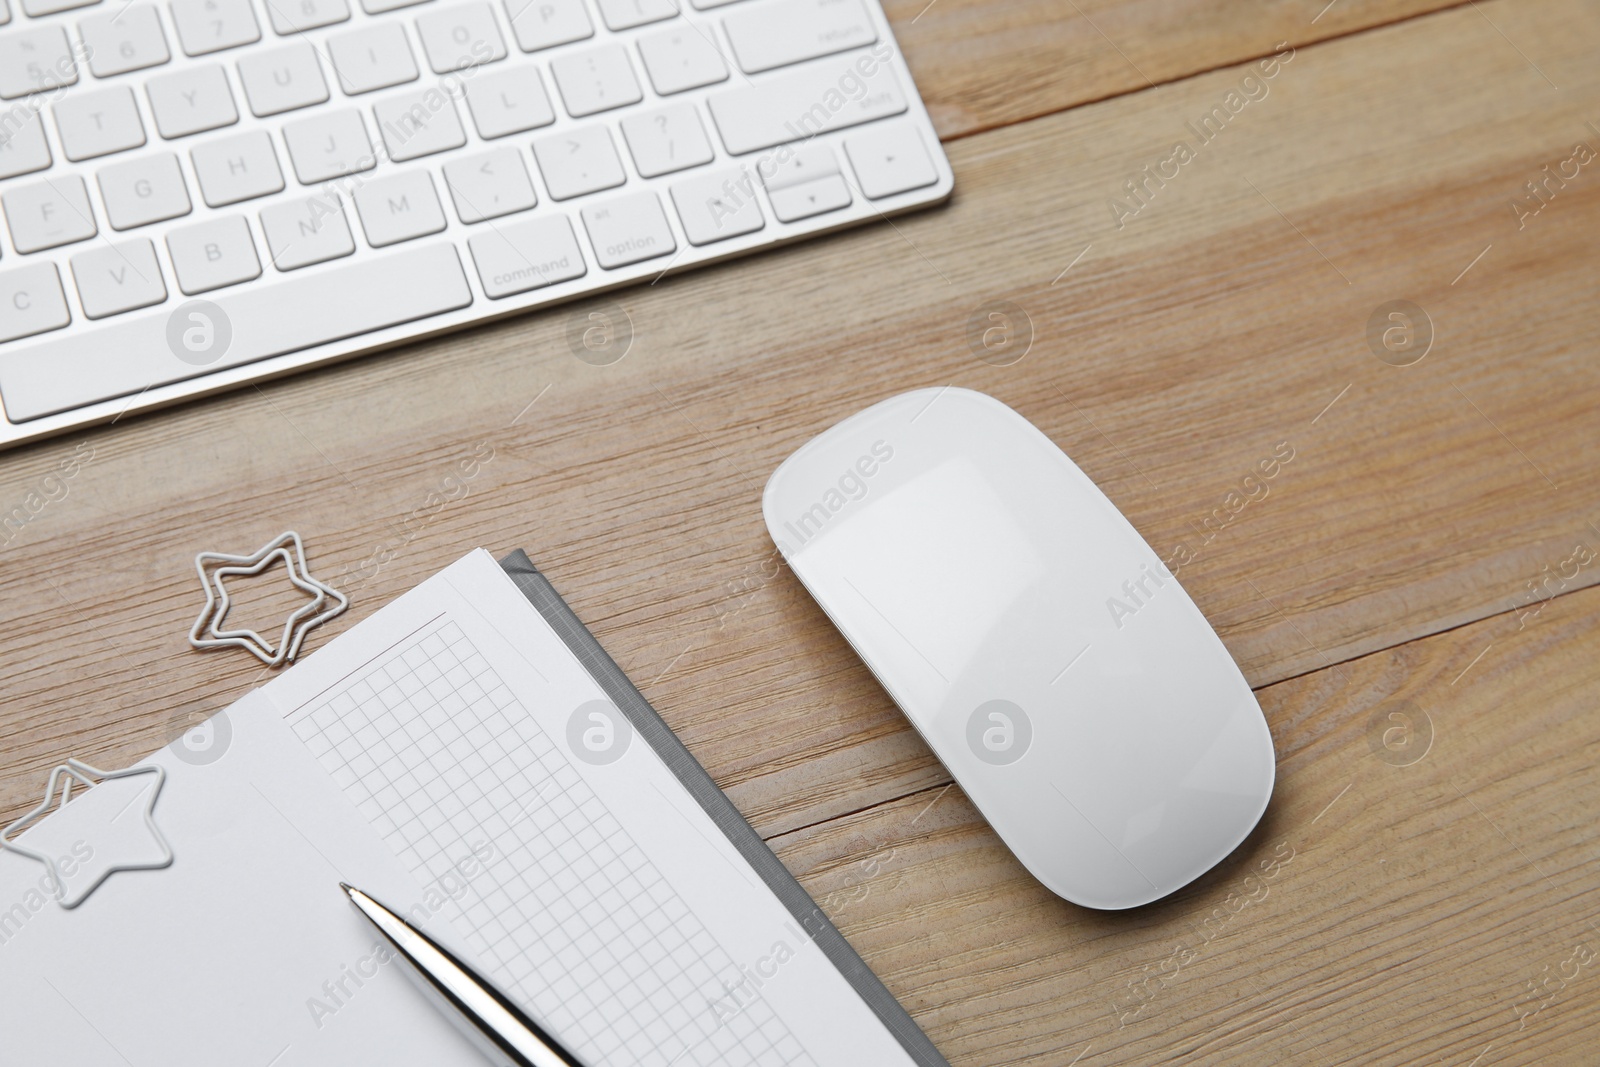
[(94, 844)]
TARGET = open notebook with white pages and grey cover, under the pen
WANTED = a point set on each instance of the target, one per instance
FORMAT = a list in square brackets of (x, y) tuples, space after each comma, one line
[(471, 757)]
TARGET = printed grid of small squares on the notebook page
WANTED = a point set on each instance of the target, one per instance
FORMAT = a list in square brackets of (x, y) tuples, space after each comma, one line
[(569, 916)]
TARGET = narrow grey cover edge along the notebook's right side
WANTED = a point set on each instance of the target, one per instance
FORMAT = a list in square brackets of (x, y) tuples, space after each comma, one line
[(705, 791)]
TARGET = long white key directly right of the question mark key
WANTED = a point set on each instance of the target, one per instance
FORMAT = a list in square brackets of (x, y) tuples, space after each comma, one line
[(799, 105)]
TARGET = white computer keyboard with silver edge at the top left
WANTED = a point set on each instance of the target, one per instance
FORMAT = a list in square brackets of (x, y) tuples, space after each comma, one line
[(207, 193)]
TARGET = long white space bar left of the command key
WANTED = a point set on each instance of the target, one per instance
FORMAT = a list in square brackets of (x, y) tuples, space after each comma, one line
[(127, 356)]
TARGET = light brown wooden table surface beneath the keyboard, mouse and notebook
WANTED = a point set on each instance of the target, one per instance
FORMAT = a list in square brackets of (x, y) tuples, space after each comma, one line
[(1414, 596)]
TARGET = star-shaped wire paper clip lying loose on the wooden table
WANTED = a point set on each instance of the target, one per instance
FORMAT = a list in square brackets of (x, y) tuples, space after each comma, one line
[(207, 633)]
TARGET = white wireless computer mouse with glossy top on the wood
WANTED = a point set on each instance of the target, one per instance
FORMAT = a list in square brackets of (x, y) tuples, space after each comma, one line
[(1033, 639)]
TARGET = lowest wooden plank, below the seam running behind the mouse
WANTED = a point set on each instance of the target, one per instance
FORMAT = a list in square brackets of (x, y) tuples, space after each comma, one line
[(1385, 913)]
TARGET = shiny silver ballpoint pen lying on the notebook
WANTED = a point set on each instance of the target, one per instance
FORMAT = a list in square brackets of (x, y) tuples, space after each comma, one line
[(497, 1026)]
